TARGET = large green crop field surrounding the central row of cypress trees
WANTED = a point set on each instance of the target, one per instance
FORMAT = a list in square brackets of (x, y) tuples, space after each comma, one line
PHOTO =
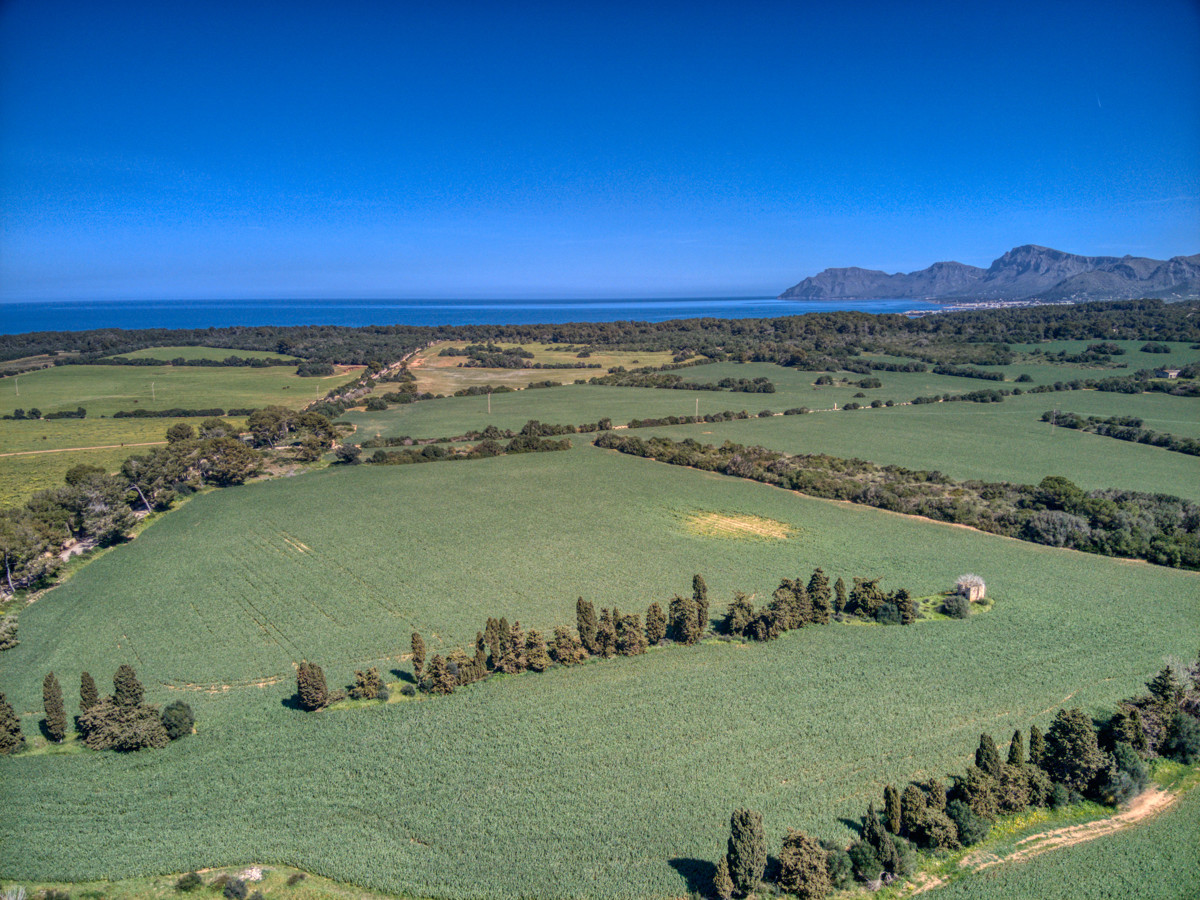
[(611, 781)]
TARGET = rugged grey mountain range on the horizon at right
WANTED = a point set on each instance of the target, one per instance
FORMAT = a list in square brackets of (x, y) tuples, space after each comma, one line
[(1028, 273)]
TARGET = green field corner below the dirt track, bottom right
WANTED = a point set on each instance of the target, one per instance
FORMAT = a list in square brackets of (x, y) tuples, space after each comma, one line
[(1156, 861)]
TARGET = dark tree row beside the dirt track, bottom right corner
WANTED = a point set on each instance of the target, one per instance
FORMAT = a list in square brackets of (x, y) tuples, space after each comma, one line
[(1071, 763)]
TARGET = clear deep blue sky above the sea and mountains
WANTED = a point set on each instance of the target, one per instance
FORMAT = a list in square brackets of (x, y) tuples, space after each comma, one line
[(404, 149)]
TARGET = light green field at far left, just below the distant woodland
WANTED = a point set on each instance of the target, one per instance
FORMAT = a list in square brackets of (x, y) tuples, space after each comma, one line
[(104, 391)]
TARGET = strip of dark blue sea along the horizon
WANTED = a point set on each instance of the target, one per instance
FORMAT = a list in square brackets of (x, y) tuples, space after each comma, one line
[(82, 316)]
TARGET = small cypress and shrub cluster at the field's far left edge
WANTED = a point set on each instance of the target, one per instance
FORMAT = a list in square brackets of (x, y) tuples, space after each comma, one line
[(121, 722)]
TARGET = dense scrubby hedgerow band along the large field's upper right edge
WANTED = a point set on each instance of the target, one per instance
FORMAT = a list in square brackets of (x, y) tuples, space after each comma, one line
[(1159, 529)]
